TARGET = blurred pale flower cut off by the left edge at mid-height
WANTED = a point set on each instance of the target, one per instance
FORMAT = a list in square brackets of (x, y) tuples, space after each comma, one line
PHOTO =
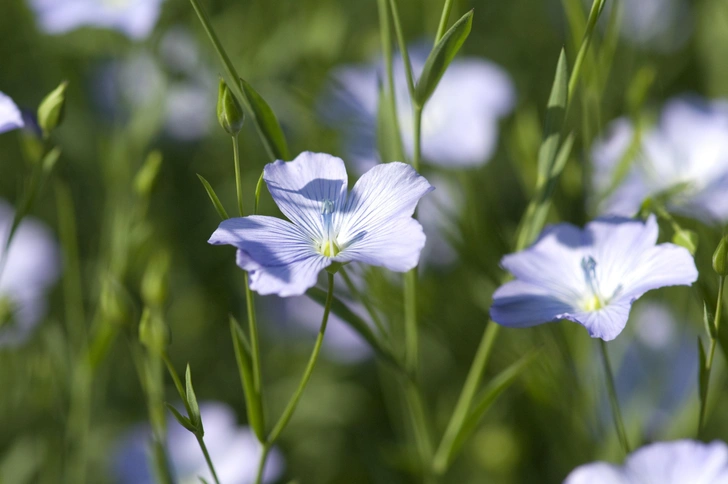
[(32, 265)]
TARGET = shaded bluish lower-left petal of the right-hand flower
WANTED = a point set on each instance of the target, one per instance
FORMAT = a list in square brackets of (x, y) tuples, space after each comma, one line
[(518, 304)]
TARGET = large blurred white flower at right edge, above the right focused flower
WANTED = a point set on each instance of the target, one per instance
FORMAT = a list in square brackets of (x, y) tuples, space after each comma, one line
[(684, 159)]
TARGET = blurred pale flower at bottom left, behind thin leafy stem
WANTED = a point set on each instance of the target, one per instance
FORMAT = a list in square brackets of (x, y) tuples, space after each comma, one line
[(234, 451)]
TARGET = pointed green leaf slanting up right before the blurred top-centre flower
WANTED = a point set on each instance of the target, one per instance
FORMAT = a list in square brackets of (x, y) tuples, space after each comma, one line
[(441, 56)]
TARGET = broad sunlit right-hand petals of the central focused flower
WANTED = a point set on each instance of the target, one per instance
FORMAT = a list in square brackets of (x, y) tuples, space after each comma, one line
[(377, 227)]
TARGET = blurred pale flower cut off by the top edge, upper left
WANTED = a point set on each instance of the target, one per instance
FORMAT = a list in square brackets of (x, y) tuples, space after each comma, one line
[(134, 18)]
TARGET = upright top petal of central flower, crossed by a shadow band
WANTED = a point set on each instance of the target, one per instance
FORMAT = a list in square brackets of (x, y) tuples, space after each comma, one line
[(299, 188)]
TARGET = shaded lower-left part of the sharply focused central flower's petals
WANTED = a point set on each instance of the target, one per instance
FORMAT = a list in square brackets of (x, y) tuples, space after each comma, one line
[(279, 256)]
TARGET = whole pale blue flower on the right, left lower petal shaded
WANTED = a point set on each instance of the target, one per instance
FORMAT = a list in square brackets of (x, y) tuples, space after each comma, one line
[(590, 276)]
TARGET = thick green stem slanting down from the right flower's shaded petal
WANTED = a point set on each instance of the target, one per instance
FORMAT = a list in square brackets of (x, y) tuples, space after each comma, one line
[(465, 401)]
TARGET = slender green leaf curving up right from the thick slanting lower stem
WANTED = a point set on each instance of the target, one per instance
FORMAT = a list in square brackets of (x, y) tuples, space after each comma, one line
[(491, 392)]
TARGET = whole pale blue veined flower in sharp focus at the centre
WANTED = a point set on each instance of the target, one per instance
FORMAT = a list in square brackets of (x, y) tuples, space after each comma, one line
[(373, 224)]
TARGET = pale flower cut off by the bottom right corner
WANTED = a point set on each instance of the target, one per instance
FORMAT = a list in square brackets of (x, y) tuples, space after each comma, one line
[(678, 462)]
